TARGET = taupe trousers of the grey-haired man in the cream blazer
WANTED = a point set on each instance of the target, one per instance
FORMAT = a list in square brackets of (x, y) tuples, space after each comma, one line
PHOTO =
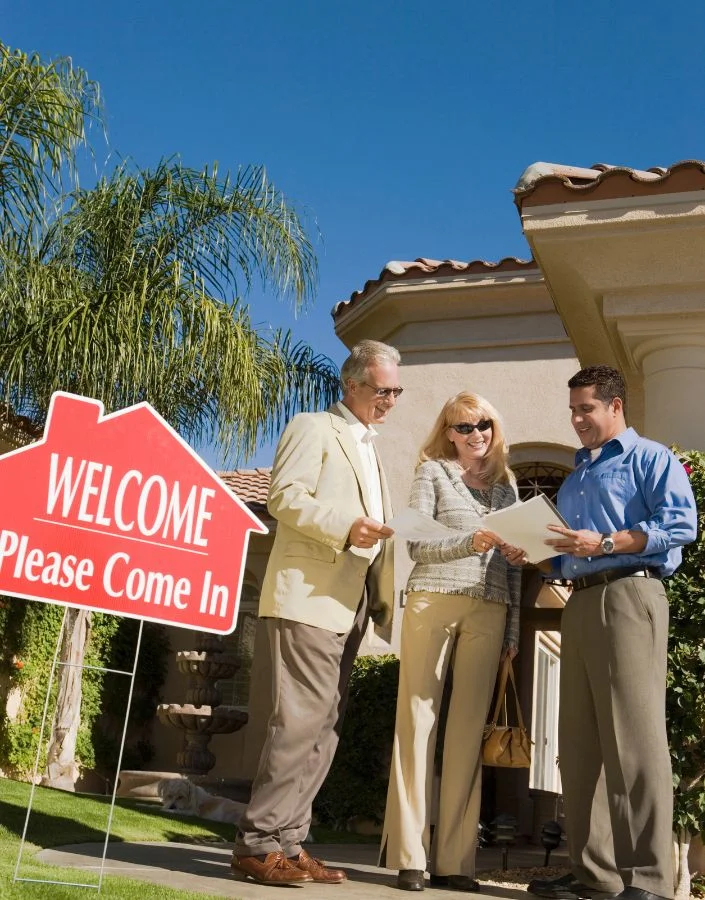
[(311, 669)]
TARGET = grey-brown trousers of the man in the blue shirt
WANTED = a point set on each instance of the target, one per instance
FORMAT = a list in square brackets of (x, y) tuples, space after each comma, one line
[(614, 758)]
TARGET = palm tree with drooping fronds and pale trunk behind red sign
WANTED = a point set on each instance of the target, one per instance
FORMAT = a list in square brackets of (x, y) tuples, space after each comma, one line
[(131, 291)]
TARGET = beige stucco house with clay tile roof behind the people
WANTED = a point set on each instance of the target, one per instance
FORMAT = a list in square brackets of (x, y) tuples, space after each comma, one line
[(617, 276)]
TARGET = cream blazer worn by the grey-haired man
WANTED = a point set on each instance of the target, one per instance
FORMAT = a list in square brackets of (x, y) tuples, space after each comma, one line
[(317, 491)]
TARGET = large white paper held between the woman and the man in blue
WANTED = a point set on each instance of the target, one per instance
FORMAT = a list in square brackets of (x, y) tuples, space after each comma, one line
[(524, 525)]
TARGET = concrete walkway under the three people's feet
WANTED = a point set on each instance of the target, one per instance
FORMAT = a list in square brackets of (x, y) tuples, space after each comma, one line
[(205, 868)]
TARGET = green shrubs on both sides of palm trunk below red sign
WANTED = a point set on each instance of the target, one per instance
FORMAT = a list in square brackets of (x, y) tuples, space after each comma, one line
[(28, 635)]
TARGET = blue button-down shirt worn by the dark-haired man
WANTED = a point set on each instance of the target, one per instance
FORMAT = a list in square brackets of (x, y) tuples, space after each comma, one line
[(635, 485)]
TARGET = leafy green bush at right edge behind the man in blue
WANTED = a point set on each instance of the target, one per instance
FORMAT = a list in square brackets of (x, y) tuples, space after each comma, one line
[(685, 700)]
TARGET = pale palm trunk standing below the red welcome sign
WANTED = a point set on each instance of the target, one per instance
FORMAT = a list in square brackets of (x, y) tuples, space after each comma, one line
[(62, 770)]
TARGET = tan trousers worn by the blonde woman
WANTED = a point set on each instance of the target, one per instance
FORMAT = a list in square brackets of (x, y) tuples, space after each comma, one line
[(436, 627)]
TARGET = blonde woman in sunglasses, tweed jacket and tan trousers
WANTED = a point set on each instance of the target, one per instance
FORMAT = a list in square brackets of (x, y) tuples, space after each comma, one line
[(462, 605)]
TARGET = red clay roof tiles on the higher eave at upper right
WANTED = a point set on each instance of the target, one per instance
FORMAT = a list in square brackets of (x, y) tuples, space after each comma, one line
[(545, 183)]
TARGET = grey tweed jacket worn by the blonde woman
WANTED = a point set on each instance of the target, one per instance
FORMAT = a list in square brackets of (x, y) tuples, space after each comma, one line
[(451, 566)]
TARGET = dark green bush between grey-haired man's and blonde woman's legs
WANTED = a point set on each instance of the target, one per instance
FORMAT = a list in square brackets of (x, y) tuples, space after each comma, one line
[(357, 783)]
